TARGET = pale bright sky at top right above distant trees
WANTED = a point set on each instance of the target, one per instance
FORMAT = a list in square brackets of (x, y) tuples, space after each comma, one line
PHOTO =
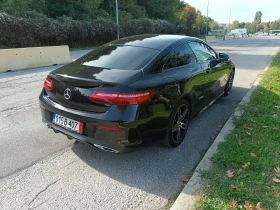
[(242, 10)]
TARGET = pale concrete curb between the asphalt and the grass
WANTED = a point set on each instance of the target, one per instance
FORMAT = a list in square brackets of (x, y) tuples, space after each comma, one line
[(187, 197)]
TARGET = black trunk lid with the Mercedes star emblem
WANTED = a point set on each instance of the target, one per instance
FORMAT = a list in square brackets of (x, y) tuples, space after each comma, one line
[(74, 84)]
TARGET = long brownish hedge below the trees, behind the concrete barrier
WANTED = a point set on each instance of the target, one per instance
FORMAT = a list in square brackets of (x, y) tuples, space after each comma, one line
[(35, 29)]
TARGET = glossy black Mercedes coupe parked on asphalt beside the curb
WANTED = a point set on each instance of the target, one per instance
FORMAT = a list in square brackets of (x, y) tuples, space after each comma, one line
[(136, 89)]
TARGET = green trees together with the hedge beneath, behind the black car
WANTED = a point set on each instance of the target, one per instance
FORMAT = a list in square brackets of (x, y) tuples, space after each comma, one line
[(79, 22)]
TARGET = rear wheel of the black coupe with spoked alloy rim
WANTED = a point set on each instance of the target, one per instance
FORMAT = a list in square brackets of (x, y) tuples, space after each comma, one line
[(177, 128)]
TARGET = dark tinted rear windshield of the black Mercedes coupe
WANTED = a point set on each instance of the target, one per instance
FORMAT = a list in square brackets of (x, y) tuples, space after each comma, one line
[(119, 57)]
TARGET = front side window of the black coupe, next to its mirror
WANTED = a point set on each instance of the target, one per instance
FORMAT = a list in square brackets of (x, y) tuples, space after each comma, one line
[(202, 51)]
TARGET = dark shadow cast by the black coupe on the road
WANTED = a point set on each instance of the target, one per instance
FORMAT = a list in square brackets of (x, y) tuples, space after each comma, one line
[(157, 169)]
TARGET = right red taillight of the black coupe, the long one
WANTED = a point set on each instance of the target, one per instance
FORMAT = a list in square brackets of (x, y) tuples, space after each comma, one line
[(118, 98)]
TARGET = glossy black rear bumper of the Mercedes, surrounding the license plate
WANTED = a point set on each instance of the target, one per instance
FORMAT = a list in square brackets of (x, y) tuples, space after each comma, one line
[(132, 135)]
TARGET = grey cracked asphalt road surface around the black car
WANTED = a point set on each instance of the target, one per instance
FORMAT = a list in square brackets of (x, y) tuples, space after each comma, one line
[(43, 170)]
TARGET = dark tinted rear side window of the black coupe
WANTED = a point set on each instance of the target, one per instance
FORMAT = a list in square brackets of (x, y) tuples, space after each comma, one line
[(181, 56)]
